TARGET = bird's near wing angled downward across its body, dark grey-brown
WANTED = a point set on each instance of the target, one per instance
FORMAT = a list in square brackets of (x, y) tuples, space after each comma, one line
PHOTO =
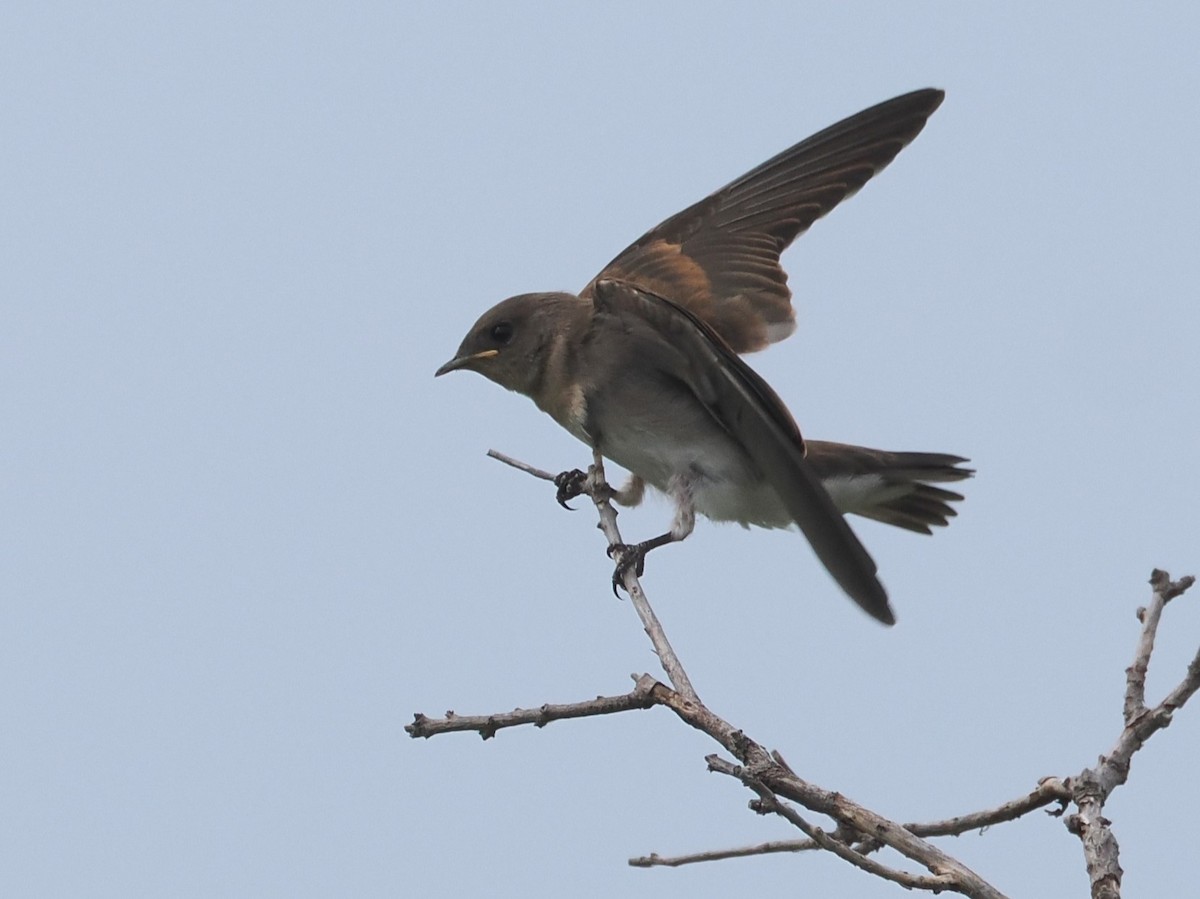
[(746, 406)]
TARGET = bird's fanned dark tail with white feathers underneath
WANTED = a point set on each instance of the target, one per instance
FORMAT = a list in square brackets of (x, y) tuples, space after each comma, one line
[(893, 488)]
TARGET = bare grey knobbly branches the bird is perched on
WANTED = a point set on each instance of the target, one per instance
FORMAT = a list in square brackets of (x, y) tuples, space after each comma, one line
[(860, 831)]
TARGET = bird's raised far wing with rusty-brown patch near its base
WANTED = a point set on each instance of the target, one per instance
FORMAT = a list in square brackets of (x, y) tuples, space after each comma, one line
[(719, 259)]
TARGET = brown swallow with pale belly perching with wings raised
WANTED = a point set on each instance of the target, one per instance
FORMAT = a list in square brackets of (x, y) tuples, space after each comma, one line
[(645, 364)]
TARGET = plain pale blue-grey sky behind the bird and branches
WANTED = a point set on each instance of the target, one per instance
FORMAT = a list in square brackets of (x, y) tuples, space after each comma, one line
[(245, 535)]
